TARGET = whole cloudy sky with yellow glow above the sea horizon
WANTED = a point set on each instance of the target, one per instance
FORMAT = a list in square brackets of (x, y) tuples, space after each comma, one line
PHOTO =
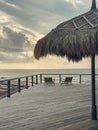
[(24, 22)]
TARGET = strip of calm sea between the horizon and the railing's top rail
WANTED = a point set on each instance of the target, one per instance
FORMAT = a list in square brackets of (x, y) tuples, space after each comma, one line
[(19, 73)]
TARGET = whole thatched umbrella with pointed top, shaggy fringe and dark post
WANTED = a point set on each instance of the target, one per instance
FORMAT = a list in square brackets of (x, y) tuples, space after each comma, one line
[(75, 39)]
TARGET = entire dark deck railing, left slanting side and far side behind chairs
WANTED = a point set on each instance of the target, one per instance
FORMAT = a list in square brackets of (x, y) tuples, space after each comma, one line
[(10, 86)]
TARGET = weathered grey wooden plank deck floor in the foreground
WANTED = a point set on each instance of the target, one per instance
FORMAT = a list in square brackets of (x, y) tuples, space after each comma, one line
[(51, 107)]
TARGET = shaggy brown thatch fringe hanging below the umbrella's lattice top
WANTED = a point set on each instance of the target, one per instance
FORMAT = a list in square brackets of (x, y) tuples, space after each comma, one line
[(74, 44)]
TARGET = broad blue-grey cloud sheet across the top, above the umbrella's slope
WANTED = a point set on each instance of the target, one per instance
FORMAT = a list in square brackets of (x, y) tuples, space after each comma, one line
[(41, 16)]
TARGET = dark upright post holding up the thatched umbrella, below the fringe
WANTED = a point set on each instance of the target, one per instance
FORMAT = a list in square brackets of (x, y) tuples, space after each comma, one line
[(94, 107)]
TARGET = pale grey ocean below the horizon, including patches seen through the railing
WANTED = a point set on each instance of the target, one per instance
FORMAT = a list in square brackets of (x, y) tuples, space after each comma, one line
[(14, 73)]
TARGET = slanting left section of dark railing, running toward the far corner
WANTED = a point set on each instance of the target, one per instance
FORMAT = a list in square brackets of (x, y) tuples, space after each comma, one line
[(13, 85)]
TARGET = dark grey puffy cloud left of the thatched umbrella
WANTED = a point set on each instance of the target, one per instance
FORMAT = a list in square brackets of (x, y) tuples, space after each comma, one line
[(14, 41)]
